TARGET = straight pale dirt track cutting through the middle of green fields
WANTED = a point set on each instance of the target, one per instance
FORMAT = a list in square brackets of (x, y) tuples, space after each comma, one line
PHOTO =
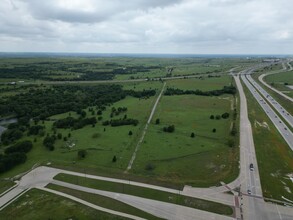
[(145, 129)]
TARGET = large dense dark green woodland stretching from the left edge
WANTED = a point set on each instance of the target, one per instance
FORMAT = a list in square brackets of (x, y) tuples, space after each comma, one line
[(44, 102)]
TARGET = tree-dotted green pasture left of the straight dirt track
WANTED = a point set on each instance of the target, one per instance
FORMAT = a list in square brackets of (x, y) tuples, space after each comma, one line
[(101, 146)]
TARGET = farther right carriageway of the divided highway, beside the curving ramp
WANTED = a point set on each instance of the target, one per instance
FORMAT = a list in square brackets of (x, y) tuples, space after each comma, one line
[(280, 109)]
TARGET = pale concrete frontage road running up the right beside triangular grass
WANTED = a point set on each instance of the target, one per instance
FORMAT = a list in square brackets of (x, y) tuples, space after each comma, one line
[(253, 206)]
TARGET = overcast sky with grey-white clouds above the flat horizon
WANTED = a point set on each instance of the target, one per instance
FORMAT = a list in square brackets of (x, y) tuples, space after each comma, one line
[(147, 26)]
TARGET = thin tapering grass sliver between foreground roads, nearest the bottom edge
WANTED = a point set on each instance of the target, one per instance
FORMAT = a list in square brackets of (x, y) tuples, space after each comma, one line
[(103, 201)]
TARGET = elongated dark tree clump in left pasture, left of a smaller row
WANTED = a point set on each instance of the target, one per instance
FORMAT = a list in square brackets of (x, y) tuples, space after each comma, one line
[(71, 122)]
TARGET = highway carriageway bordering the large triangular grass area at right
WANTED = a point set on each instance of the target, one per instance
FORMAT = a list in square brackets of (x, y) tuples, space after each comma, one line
[(277, 121)]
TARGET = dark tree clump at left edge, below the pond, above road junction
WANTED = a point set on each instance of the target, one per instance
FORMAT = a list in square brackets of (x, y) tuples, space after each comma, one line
[(14, 155)]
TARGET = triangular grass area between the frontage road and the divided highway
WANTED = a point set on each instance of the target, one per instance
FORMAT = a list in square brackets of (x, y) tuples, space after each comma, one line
[(274, 157)]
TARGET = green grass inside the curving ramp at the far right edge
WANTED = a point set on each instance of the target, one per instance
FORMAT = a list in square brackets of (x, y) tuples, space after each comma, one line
[(279, 81)]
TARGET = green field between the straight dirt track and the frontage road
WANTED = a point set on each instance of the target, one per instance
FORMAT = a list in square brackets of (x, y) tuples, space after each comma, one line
[(201, 161)]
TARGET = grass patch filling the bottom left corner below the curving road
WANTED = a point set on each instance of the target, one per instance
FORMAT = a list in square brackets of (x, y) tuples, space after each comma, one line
[(38, 204)]
